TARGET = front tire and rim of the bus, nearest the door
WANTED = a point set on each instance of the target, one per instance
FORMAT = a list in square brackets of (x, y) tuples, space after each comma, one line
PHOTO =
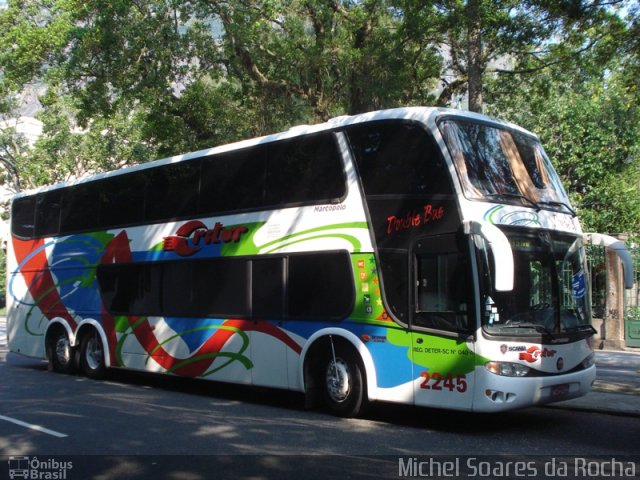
[(343, 382)]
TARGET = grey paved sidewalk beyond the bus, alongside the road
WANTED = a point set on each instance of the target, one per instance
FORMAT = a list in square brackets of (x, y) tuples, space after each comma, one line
[(609, 395)]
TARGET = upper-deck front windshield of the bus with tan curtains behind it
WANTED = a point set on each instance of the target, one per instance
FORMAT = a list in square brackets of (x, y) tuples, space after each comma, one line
[(504, 166)]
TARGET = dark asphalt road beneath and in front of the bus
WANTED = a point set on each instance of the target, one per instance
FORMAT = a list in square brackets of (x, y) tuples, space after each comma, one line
[(150, 421)]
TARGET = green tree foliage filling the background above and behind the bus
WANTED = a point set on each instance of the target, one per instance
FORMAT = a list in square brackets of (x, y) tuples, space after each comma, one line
[(129, 81)]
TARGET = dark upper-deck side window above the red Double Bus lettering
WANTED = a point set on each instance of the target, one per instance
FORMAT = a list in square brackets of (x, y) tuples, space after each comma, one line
[(396, 158)]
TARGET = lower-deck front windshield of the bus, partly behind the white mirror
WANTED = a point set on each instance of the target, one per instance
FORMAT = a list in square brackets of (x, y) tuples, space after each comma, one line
[(549, 294)]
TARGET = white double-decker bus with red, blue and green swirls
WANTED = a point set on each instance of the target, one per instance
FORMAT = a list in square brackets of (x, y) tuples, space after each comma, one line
[(418, 255)]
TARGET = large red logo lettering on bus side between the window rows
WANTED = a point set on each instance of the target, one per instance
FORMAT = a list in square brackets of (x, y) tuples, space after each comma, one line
[(193, 235)]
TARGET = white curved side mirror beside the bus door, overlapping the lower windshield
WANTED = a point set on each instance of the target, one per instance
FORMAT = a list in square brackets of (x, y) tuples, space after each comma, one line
[(501, 250)]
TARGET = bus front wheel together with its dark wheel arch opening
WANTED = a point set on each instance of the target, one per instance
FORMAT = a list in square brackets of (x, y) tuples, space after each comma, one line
[(335, 376)]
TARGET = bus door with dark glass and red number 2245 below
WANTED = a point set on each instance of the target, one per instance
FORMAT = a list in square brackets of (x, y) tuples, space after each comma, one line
[(443, 321)]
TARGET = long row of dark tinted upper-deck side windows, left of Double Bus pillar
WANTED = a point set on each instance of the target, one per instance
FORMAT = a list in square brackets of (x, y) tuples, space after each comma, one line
[(300, 170)]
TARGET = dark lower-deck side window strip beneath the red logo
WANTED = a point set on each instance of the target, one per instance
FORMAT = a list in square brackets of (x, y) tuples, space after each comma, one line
[(316, 285)]
